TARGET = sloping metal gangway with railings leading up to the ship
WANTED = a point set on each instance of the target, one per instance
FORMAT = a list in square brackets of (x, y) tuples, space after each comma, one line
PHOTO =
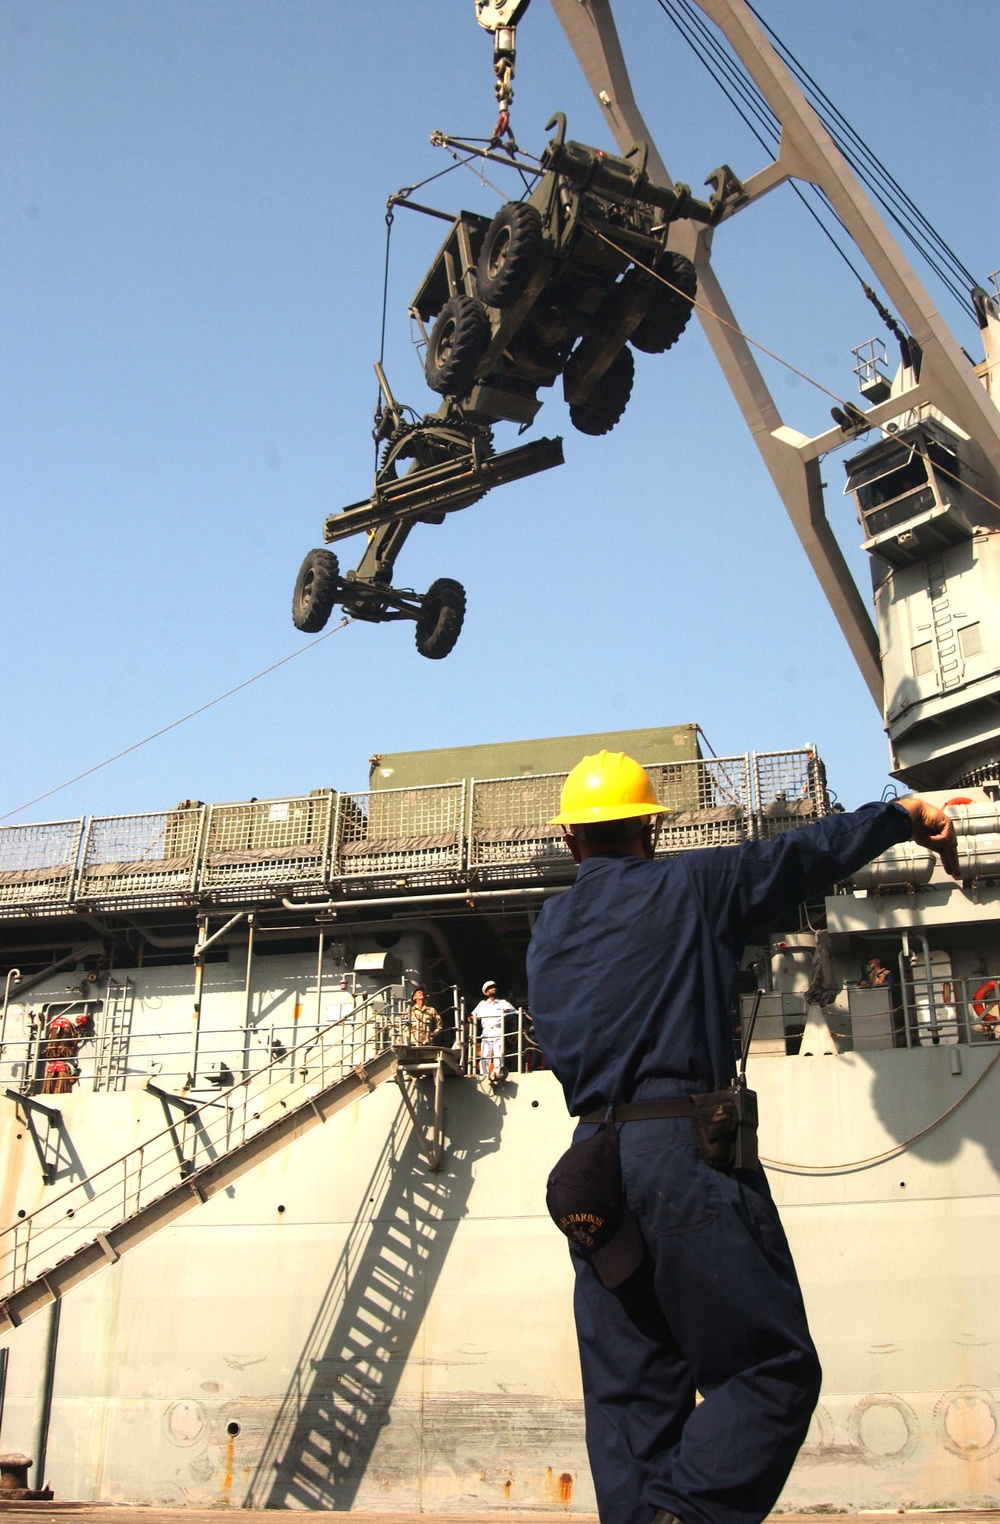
[(214, 1142)]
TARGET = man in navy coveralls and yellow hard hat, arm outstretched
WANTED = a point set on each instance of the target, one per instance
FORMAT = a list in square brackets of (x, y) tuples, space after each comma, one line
[(632, 984)]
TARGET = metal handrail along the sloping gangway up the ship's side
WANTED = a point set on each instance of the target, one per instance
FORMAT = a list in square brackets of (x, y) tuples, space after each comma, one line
[(197, 1135)]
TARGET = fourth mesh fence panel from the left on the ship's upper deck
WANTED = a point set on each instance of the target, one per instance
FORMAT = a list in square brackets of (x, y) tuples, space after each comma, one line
[(402, 837)]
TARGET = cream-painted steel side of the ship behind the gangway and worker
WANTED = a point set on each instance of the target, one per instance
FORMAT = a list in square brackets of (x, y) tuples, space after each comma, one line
[(342, 1328)]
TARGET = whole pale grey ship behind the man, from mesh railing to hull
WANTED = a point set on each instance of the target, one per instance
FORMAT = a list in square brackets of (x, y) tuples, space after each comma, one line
[(263, 1247)]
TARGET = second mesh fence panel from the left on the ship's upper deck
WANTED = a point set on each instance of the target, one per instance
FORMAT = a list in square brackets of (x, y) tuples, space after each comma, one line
[(141, 859)]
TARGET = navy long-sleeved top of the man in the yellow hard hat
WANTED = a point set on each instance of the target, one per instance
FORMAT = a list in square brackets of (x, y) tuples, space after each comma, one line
[(632, 973)]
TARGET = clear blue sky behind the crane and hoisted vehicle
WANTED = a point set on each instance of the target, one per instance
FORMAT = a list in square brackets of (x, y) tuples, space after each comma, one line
[(191, 280)]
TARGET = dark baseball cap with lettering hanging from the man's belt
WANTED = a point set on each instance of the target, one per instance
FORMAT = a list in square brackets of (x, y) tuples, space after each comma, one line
[(588, 1203)]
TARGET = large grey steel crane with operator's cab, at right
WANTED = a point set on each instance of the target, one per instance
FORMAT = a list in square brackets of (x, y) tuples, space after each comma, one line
[(932, 661)]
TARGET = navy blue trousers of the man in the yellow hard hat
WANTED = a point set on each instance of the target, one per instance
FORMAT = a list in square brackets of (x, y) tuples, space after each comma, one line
[(716, 1308)]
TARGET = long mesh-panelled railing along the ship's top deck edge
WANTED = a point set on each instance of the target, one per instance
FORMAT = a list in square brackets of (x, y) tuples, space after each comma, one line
[(380, 840)]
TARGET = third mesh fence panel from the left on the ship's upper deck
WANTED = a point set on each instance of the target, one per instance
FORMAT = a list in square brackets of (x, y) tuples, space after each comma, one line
[(269, 844)]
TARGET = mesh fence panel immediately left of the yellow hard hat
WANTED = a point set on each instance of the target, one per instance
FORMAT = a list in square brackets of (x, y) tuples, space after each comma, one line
[(510, 833)]
